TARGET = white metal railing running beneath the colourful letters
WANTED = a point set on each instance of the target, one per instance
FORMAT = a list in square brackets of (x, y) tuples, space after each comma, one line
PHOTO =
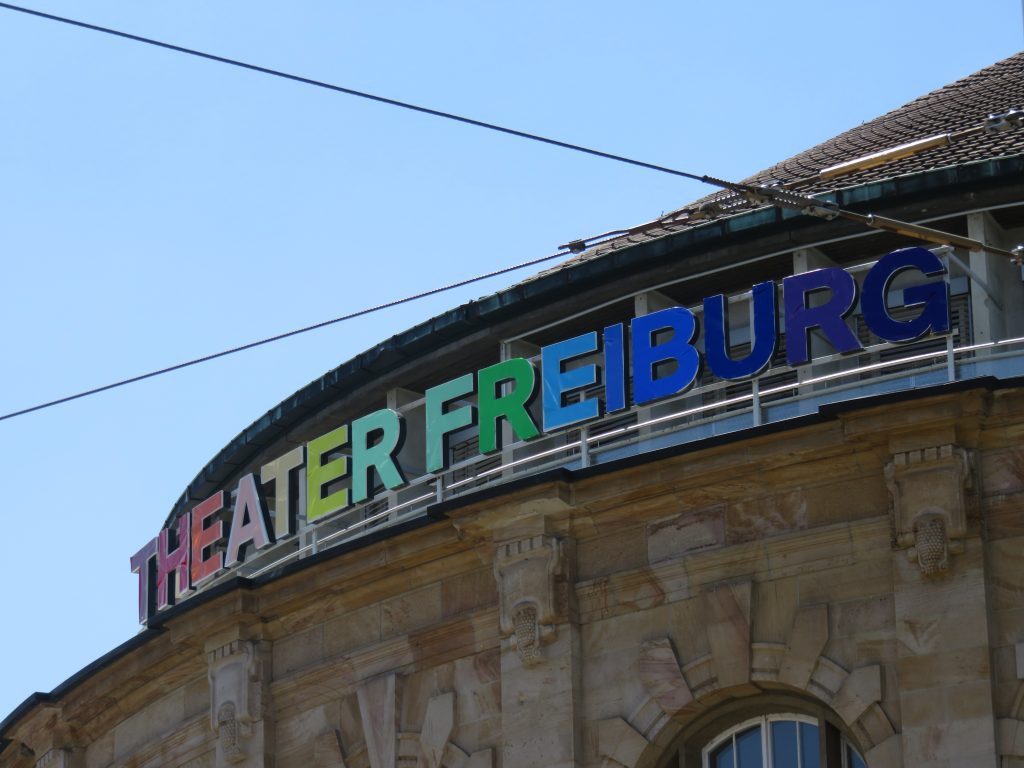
[(710, 409)]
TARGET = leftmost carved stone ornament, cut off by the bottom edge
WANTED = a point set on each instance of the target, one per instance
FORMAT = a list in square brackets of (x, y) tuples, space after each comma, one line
[(236, 702)]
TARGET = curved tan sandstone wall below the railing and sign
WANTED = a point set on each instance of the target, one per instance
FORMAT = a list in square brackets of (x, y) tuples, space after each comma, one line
[(866, 570)]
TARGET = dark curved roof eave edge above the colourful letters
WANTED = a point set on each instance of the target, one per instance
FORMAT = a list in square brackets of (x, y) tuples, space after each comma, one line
[(549, 286)]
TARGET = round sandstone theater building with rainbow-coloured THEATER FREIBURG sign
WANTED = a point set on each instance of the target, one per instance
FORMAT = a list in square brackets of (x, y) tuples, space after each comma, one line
[(742, 488)]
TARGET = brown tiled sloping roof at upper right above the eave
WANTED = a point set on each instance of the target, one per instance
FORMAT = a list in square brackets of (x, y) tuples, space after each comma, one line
[(962, 105)]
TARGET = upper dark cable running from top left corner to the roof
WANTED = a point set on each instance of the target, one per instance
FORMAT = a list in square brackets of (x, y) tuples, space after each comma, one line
[(364, 95)]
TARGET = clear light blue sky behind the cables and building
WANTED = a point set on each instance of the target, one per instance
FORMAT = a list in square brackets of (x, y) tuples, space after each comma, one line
[(155, 208)]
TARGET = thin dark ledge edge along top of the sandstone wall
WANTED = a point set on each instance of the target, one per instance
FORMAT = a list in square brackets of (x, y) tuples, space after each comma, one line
[(439, 513)]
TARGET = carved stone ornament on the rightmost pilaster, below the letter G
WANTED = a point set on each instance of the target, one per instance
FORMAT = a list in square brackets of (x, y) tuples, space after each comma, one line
[(929, 491)]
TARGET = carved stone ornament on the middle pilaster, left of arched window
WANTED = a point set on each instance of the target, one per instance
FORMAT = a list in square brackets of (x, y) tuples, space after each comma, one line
[(529, 572)]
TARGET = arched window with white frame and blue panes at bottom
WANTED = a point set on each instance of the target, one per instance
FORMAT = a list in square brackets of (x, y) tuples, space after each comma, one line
[(775, 742)]
